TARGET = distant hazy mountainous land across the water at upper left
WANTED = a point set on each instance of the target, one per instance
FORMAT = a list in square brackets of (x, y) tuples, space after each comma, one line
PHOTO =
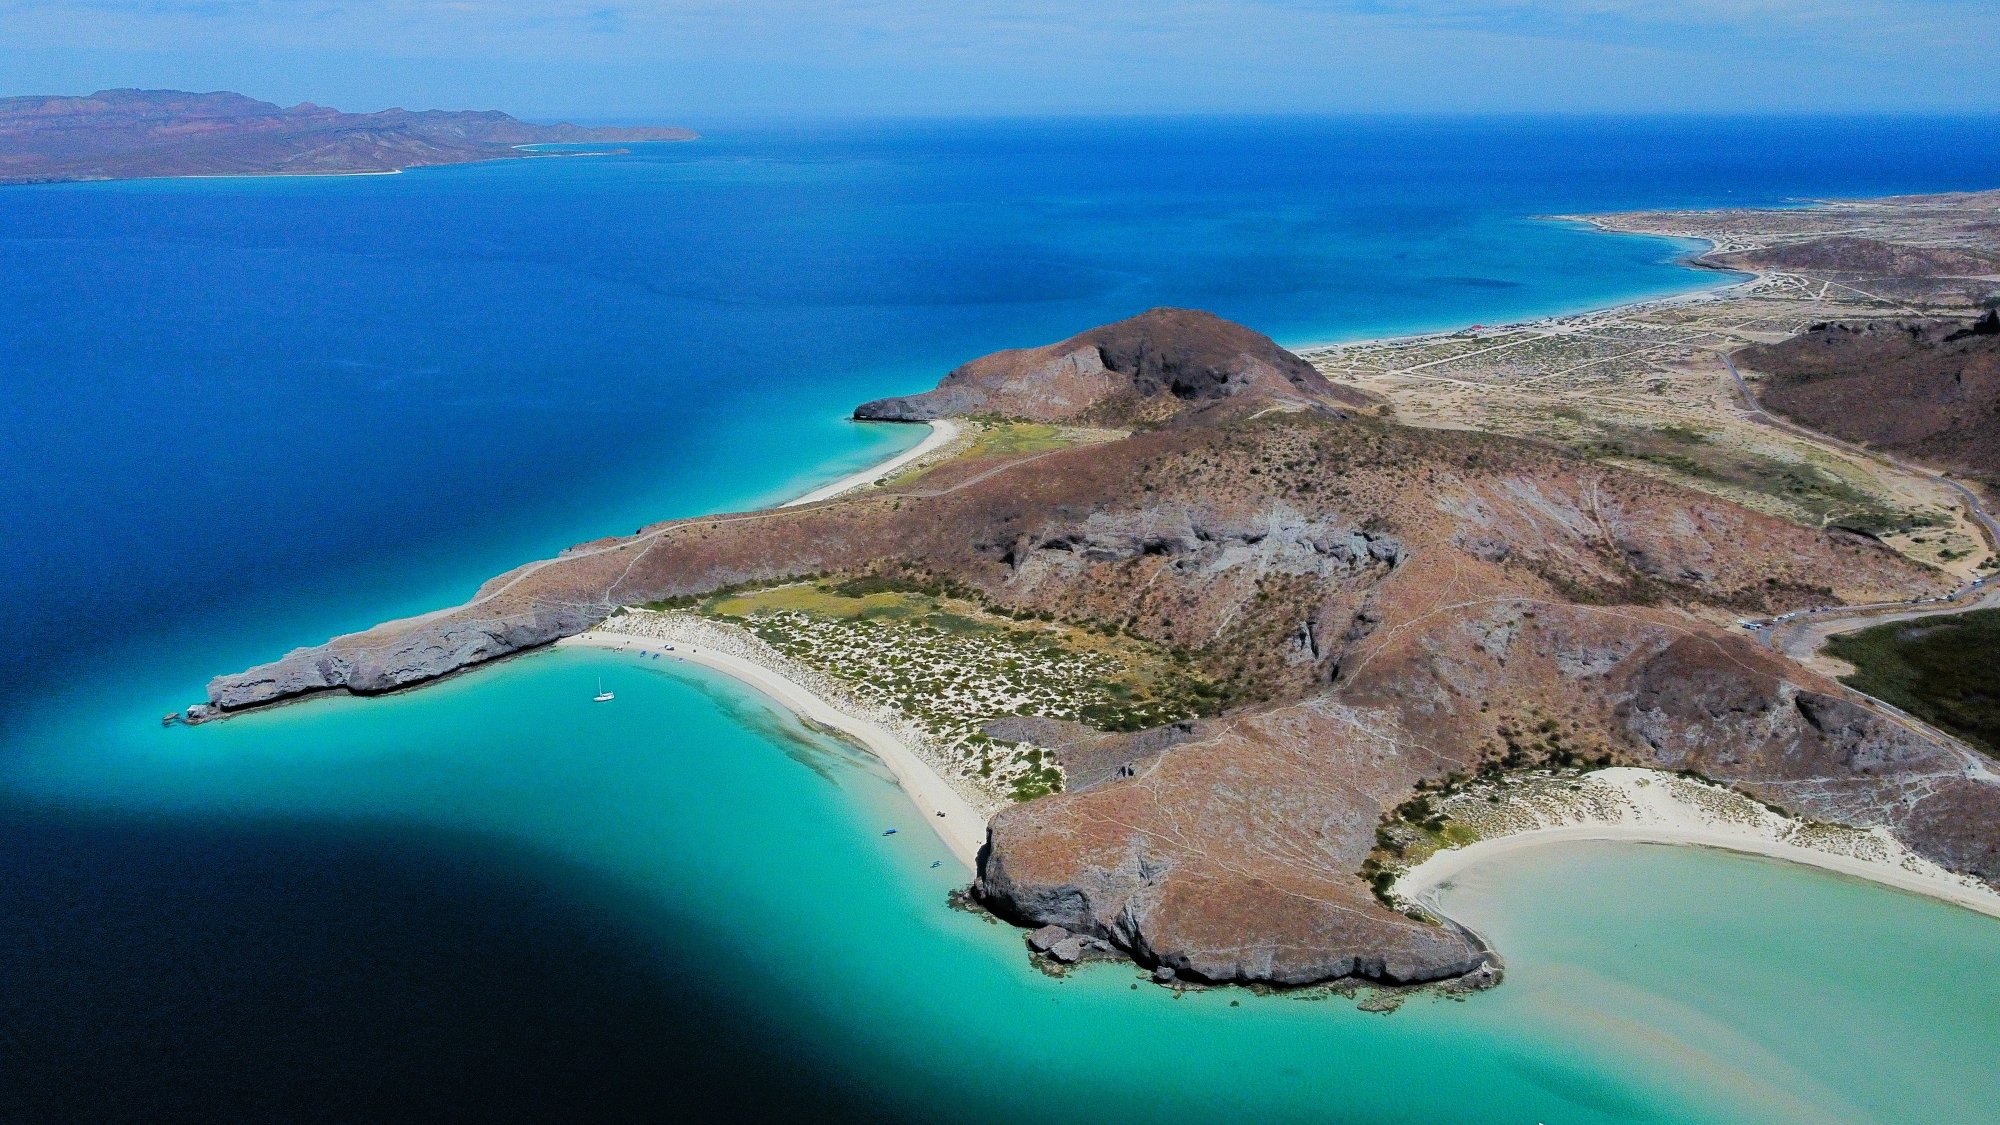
[(125, 135)]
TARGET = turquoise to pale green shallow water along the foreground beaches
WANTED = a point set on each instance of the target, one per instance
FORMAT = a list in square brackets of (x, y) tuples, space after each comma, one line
[(1645, 984)]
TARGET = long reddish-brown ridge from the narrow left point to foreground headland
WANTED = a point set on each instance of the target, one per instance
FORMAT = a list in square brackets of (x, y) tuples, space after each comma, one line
[(1381, 606)]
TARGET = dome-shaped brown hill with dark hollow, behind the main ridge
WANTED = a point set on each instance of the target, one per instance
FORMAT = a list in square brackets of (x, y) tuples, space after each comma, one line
[(1145, 369)]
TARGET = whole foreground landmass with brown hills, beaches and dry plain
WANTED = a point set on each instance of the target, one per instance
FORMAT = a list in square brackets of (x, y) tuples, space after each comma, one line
[(1225, 642)]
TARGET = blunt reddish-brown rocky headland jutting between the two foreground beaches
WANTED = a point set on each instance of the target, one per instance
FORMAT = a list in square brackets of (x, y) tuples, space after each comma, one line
[(1229, 858)]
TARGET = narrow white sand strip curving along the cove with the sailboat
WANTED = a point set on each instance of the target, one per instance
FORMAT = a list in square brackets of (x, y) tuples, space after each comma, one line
[(957, 824)]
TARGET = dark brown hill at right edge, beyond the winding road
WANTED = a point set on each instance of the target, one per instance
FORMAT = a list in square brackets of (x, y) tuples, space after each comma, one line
[(1929, 389)]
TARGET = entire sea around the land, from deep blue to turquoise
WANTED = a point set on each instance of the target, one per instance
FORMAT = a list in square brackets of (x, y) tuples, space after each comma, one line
[(245, 415)]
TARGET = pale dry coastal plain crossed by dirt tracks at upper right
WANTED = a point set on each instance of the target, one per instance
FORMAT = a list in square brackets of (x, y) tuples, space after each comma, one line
[(1649, 389)]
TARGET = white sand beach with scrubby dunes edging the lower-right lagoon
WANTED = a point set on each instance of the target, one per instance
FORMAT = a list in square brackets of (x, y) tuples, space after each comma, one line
[(1641, 806)]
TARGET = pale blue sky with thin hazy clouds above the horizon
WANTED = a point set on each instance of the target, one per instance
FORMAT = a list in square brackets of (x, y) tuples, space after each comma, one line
[(693, 61)]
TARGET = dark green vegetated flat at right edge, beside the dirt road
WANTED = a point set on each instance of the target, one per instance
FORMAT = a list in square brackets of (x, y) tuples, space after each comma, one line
[(1939, 670)]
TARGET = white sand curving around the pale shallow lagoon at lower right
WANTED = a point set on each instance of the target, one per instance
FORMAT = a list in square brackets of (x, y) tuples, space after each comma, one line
[(1659, 818)]
